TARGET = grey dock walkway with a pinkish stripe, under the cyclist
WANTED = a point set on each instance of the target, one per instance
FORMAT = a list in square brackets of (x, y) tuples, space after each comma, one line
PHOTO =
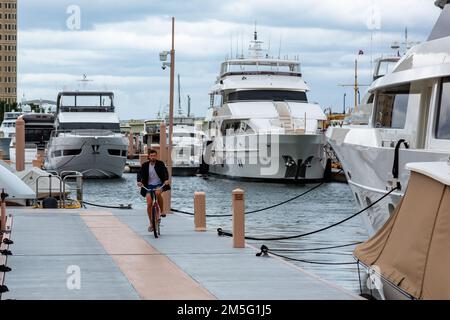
[(110, 255)]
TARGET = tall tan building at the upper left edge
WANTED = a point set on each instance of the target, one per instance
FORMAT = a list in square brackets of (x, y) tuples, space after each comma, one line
[(8, 51)]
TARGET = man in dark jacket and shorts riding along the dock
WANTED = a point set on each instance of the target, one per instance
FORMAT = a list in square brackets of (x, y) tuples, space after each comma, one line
[(153, 175)]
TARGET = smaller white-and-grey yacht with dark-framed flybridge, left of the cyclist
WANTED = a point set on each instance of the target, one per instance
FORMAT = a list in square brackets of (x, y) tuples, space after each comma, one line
[(87, 136)]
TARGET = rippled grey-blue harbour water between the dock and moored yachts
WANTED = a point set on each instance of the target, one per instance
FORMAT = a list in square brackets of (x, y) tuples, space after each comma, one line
[(328, 204)]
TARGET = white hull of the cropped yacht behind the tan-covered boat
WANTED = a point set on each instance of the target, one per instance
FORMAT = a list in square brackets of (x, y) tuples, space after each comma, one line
[(368, 171)]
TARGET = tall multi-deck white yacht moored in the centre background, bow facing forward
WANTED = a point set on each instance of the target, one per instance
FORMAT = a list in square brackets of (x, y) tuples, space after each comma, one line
[(261, 125)]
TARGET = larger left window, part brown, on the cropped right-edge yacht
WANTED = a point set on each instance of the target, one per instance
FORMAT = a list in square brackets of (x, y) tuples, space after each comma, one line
[(391, 109)]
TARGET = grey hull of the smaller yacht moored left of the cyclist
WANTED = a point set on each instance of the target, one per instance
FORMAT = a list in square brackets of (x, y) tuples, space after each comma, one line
[(95, 159)]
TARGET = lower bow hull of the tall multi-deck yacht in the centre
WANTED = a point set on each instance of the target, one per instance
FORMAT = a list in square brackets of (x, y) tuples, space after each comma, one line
[(286, 158)]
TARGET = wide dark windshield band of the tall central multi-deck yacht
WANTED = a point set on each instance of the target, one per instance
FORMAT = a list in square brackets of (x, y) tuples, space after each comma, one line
[(267, 95)]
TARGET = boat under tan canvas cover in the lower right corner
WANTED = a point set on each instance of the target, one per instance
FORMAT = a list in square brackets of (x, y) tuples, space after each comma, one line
[(409, 258)]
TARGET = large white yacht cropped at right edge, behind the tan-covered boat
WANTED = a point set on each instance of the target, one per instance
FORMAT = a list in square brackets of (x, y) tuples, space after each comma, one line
[(412, 107)]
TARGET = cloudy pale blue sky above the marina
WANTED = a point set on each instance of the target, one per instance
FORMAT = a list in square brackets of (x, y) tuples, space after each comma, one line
[(117, 44)]
